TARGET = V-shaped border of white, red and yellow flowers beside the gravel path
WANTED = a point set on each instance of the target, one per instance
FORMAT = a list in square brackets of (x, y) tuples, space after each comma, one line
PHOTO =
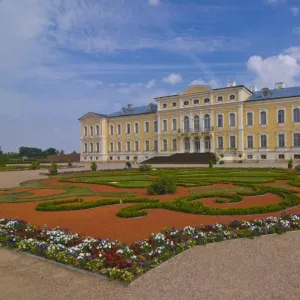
[(126, 262)]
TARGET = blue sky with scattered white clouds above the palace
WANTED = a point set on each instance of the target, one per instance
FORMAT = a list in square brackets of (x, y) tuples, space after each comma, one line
[(62, 58)]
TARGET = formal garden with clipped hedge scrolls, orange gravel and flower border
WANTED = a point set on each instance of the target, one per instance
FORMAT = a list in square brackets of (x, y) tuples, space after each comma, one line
[(144, 216)]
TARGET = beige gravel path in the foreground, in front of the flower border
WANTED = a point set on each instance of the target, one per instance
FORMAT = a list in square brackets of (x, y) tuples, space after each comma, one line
[(263, 268)]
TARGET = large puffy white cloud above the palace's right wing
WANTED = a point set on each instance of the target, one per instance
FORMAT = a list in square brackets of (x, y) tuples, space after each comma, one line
[(283, 67)]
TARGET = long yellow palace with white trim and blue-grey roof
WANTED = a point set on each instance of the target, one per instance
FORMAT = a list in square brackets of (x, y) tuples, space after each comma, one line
[(240, 123)]
